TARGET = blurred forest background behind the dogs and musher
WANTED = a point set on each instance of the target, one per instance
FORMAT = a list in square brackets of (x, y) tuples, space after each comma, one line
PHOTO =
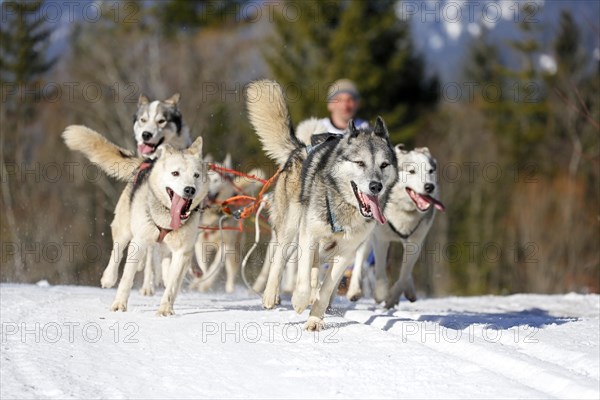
[(515, 130)]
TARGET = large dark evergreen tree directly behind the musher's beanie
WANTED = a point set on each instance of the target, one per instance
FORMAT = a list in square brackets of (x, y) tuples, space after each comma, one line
[(360, 40)]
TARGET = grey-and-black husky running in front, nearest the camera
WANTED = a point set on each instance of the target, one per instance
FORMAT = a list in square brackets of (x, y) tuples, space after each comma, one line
[(325, 200)]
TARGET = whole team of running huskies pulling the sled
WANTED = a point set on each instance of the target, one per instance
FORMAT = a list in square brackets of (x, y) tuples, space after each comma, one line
[(336, 198)]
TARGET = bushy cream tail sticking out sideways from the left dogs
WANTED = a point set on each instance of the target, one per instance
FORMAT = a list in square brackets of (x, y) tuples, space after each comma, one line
[(112, 159)]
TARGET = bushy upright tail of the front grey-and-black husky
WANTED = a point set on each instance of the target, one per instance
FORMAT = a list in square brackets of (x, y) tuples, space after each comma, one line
[(270, 118)]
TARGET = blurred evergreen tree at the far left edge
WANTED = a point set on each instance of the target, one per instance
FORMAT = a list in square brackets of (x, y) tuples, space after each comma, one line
[(24, 40)]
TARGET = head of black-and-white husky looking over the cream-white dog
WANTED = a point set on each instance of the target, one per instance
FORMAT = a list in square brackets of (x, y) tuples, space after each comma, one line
[(159, 122)]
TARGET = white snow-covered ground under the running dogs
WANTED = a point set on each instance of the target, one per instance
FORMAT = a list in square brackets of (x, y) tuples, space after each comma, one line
[(62, 342)]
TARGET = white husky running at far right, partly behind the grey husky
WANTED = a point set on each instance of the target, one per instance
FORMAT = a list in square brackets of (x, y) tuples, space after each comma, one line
[(410, 212)]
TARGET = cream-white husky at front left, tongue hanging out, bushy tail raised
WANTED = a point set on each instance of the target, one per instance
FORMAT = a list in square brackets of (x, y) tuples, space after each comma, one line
[(165, 200)]
